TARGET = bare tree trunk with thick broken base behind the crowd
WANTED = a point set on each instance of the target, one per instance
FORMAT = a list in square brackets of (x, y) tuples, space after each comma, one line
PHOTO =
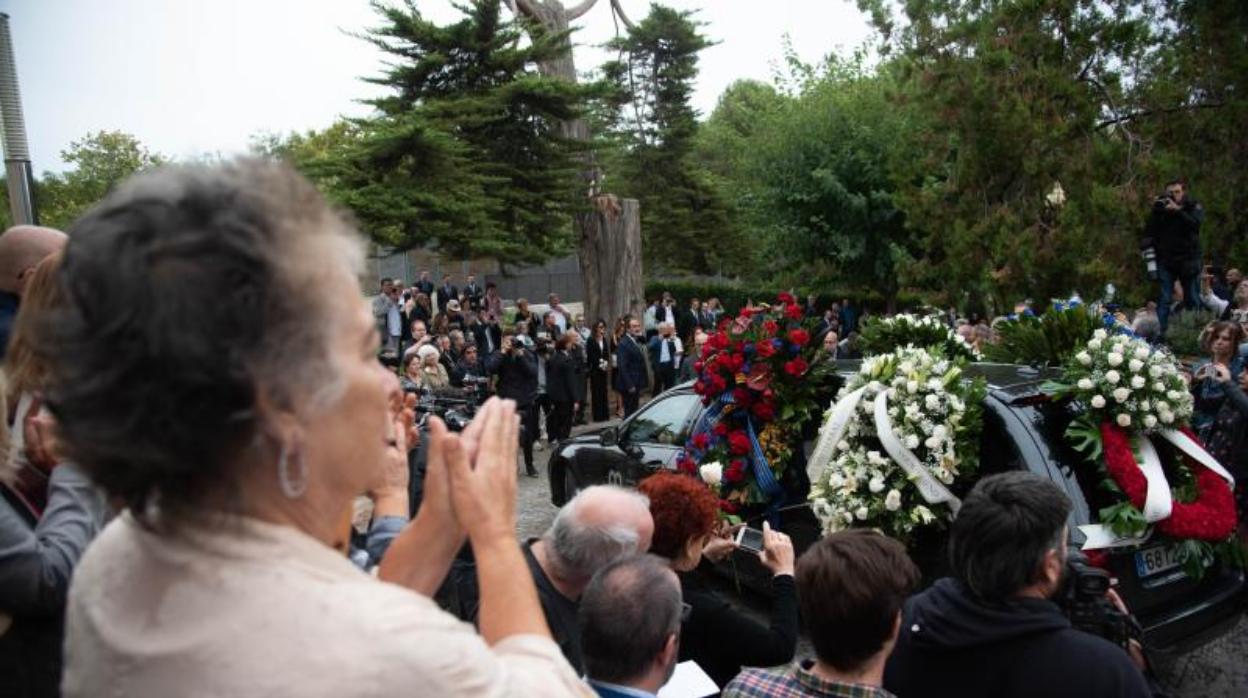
[(610, 234)]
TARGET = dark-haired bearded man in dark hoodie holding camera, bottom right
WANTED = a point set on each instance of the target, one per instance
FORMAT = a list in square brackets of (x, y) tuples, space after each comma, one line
[(995, 627)]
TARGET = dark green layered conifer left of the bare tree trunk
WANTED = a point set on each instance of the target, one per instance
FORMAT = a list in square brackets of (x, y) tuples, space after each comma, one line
[(465, 153)]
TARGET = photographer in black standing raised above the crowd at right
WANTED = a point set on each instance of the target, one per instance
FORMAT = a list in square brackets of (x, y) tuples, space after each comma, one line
[(1174, 234)]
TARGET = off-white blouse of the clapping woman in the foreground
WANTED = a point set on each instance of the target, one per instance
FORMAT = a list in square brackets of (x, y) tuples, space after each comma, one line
[(254, 609)]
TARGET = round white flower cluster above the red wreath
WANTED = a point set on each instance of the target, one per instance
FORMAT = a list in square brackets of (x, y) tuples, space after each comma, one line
[(1146, 390)]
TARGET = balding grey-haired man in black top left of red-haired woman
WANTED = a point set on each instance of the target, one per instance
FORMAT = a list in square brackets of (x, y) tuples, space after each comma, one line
[(597, 528)]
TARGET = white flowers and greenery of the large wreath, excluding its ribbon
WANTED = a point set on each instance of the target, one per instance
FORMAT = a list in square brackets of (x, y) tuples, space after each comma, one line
[(934, 413)]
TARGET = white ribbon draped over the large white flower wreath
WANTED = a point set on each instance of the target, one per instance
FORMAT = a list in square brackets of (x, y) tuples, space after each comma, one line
[(932, 490)]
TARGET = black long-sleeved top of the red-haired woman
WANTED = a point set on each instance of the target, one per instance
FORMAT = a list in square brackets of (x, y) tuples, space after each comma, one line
[(723, 640)]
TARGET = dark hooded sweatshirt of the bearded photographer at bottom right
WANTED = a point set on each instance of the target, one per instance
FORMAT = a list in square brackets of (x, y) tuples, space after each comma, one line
[(953, 645)]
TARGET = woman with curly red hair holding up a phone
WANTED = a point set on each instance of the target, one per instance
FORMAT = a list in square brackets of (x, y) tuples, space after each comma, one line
[(718, 637)]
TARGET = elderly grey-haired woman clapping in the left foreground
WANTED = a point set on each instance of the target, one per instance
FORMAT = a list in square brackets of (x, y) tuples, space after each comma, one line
[(238, 443)]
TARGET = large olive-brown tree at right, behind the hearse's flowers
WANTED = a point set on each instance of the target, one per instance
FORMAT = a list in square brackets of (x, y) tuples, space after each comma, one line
[(1018, 94)]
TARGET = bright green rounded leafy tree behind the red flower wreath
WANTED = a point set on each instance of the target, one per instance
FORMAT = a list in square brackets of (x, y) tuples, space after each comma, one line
[(821, 174)]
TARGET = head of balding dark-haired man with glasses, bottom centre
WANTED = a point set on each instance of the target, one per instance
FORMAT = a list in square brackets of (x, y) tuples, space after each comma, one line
[(630, 622)]
